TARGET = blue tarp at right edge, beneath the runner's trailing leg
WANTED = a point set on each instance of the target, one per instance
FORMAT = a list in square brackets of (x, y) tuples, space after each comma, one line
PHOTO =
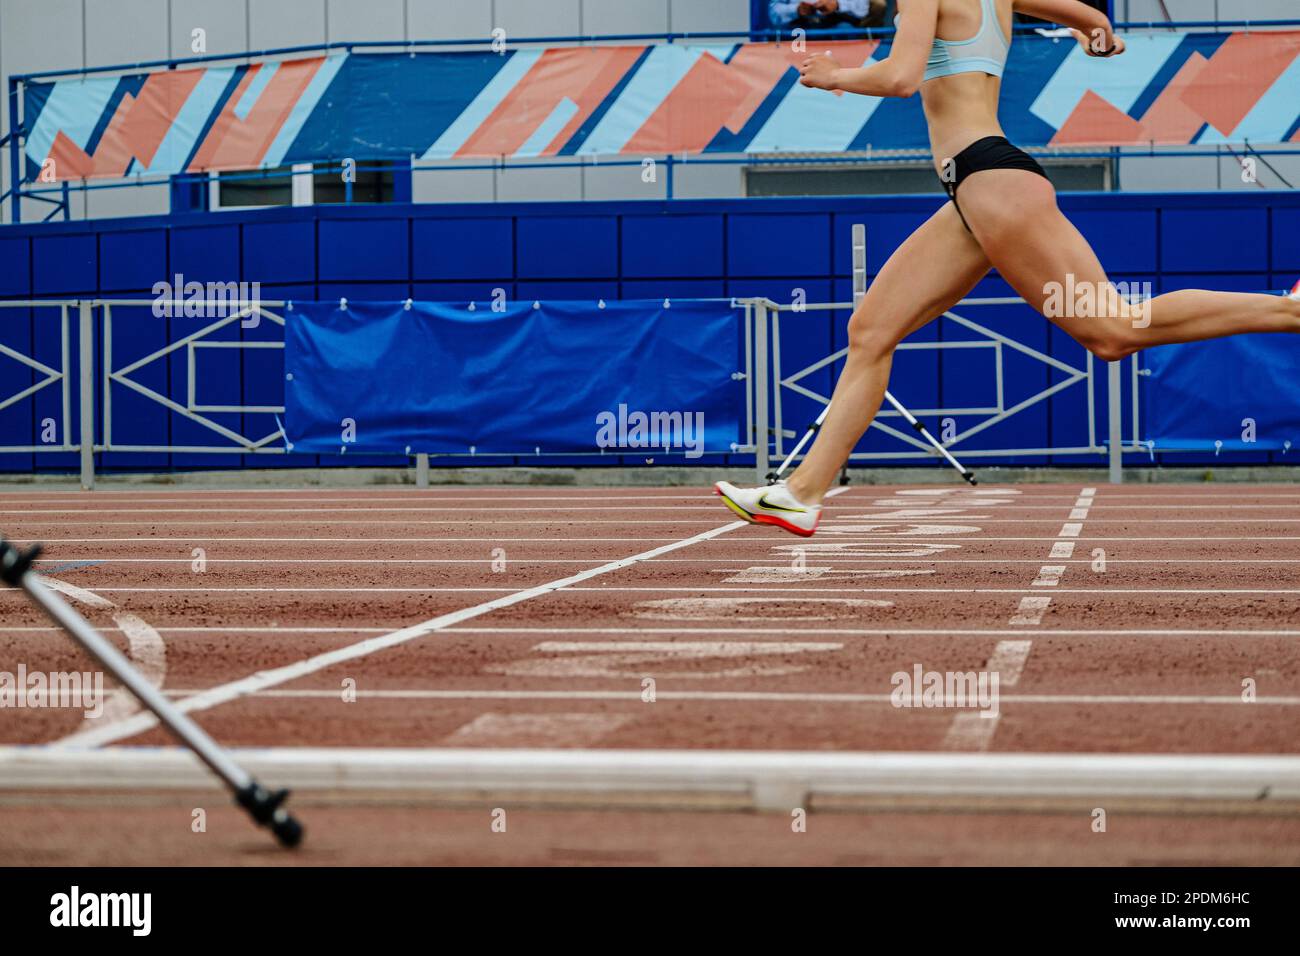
[(1243, 392)]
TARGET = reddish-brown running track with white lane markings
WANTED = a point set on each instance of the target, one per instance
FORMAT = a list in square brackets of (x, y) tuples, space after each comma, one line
[(1119, 621)]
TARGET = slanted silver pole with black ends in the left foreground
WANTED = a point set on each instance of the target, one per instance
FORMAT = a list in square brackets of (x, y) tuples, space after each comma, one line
[(266, 807)]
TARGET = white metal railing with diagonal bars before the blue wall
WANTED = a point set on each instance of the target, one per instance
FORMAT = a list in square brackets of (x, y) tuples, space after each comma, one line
[(762, 375)]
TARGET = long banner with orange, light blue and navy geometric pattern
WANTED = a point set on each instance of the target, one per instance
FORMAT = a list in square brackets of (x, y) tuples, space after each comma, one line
[(1169, 89)]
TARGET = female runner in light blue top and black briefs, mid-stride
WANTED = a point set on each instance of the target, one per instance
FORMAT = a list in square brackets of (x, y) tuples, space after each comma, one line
[(1003, 214)]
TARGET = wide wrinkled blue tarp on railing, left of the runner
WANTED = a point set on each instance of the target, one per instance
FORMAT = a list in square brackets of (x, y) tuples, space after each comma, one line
[(631, 378)]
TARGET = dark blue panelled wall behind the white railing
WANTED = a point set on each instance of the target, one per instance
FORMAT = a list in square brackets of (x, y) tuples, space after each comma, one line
[(649, 250)]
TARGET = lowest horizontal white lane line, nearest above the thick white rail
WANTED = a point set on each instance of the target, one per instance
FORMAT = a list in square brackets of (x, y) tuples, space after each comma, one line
[(762, 697)]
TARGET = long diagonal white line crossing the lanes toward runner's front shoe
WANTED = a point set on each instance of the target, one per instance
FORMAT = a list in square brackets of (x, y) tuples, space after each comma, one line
[(265, 680)]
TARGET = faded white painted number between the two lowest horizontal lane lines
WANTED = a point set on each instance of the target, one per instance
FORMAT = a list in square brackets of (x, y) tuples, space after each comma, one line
[(639, 660)]
